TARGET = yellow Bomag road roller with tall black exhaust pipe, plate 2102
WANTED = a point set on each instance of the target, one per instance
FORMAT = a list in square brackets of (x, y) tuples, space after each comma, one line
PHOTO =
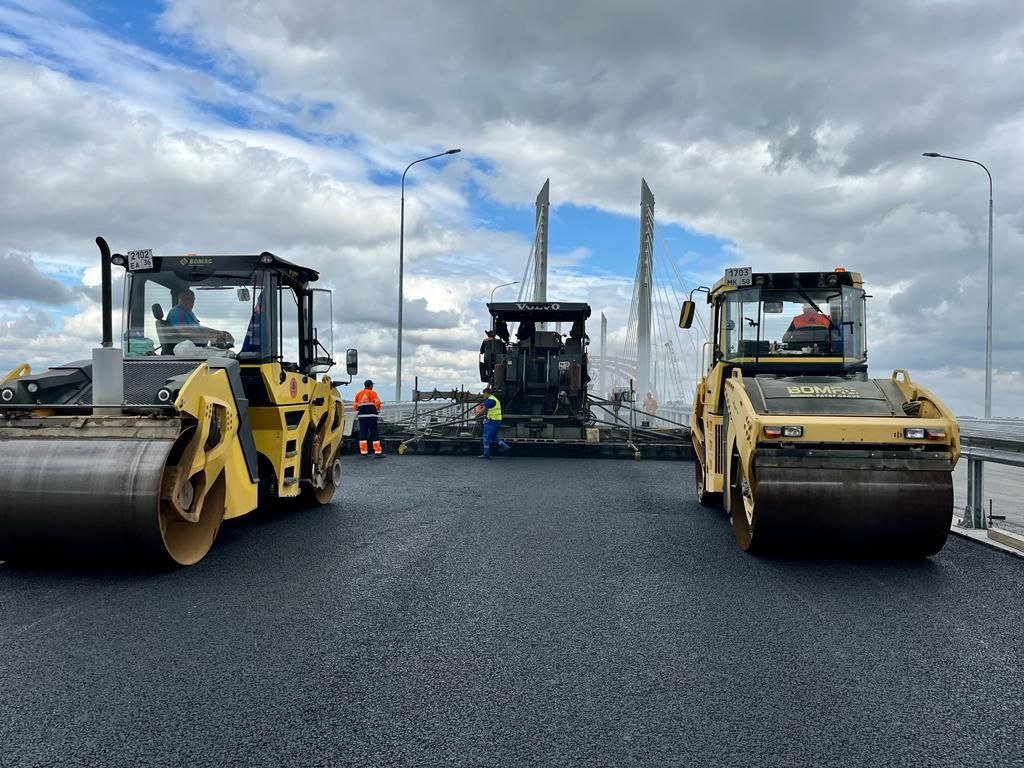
[(205, 411)]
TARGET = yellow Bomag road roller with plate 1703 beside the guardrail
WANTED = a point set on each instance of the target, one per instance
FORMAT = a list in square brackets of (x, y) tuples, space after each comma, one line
[(805, 451)]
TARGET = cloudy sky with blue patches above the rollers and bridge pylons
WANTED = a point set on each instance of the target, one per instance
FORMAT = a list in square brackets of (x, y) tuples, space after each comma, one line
[(783, 136)]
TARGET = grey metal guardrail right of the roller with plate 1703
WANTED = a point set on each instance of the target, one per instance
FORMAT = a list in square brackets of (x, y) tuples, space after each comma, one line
[(996, 441)]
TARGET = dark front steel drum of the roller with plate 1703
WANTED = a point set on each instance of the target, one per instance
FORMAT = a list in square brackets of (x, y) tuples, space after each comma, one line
[(871, 511)]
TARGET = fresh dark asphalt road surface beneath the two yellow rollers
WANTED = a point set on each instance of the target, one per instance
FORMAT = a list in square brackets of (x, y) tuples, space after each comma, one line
[(447, 611)]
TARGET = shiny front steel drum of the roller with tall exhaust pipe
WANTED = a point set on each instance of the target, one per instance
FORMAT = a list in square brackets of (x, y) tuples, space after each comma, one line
[(83, 499)]
